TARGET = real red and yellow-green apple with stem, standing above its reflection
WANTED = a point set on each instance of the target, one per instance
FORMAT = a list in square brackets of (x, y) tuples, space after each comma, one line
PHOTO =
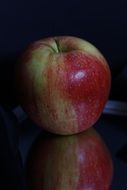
[(63, 84)]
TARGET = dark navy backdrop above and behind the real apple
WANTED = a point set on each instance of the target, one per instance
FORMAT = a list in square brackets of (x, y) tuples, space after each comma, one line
[(103, 23)]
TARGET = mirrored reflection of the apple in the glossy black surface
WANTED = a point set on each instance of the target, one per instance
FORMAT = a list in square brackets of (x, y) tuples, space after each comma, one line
[(76, 162)]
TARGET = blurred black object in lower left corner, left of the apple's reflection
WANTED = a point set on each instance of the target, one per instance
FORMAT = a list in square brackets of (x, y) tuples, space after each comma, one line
[(11, 171)]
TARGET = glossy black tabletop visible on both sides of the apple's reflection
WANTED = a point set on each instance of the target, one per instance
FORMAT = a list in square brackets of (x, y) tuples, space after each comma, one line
[(112, 129)]
